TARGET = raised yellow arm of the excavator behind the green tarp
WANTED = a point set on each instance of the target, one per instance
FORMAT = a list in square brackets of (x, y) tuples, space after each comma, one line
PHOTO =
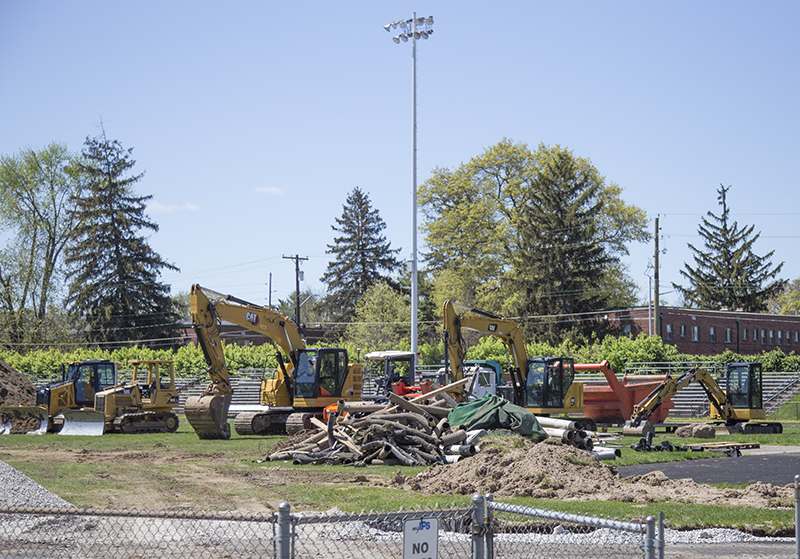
[(488, 324)]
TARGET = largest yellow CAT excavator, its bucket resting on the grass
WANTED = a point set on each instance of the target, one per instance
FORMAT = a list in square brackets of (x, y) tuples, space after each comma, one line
[(307, 379)]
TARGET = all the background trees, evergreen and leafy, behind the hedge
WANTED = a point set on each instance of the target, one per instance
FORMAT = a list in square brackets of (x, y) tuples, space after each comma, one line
[(534, 234)]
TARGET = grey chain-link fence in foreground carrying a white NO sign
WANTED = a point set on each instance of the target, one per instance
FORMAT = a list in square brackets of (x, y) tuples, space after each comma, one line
[(483, 531)]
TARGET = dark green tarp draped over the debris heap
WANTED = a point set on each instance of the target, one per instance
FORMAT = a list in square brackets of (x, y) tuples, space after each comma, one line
[(494, 412)]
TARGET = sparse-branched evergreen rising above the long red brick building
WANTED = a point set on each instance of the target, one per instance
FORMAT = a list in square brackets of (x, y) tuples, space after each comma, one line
[(727, 273)]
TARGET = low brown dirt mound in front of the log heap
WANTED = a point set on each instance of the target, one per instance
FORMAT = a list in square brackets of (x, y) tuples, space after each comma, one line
[(557, 471)]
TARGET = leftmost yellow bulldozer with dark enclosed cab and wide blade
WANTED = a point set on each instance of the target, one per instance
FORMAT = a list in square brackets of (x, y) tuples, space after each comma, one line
[(66, 407)]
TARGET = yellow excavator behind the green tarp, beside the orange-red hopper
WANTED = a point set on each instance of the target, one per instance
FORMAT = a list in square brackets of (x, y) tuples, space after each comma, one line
[(544, 385)]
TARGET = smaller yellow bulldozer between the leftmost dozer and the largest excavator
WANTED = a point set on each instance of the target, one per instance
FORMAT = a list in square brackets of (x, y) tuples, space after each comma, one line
[(145, 404)]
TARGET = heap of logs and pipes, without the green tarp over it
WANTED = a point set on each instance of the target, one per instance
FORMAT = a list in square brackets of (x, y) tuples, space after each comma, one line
[(411, 432)]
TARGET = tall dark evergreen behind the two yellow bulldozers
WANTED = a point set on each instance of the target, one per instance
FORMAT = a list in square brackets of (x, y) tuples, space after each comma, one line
[(114, 290)]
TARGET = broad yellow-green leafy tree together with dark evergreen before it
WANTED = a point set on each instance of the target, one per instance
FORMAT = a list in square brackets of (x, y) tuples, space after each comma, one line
[(521, 232)]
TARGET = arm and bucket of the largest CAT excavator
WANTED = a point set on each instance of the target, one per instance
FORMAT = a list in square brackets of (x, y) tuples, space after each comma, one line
[(208, 414)]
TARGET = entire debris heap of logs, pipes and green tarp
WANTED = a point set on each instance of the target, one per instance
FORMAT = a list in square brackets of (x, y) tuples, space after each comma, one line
[(418, 432)]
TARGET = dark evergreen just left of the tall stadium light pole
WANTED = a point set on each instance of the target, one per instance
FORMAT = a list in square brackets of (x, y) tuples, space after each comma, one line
[(362, 256)]
